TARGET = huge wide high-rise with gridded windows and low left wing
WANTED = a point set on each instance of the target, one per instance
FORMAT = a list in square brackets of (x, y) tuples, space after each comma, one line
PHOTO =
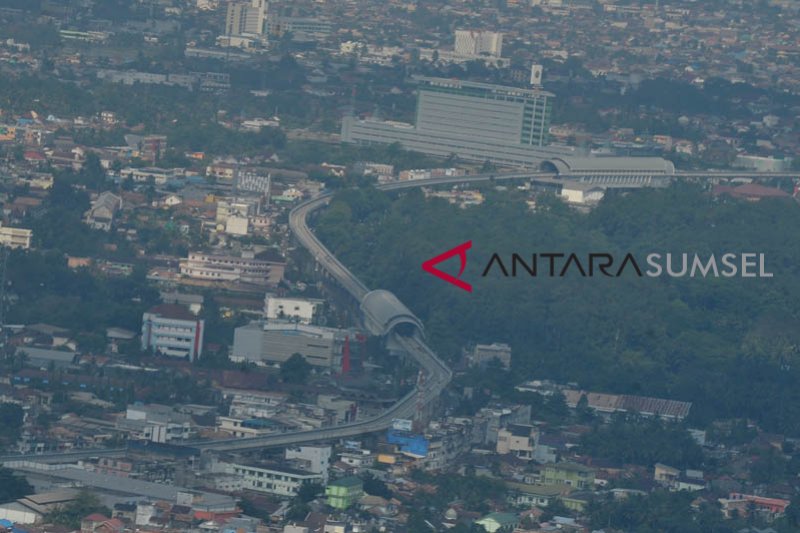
[(475, 121)]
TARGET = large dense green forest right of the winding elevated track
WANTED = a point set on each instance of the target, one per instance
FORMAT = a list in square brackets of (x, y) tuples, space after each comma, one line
[(729, 345)]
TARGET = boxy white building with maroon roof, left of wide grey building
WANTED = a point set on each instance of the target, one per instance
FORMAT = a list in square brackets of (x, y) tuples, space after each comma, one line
[(173, 330)]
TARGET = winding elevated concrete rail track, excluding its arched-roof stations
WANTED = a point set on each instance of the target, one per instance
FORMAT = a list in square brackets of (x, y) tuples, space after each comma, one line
[(438, 374)]
